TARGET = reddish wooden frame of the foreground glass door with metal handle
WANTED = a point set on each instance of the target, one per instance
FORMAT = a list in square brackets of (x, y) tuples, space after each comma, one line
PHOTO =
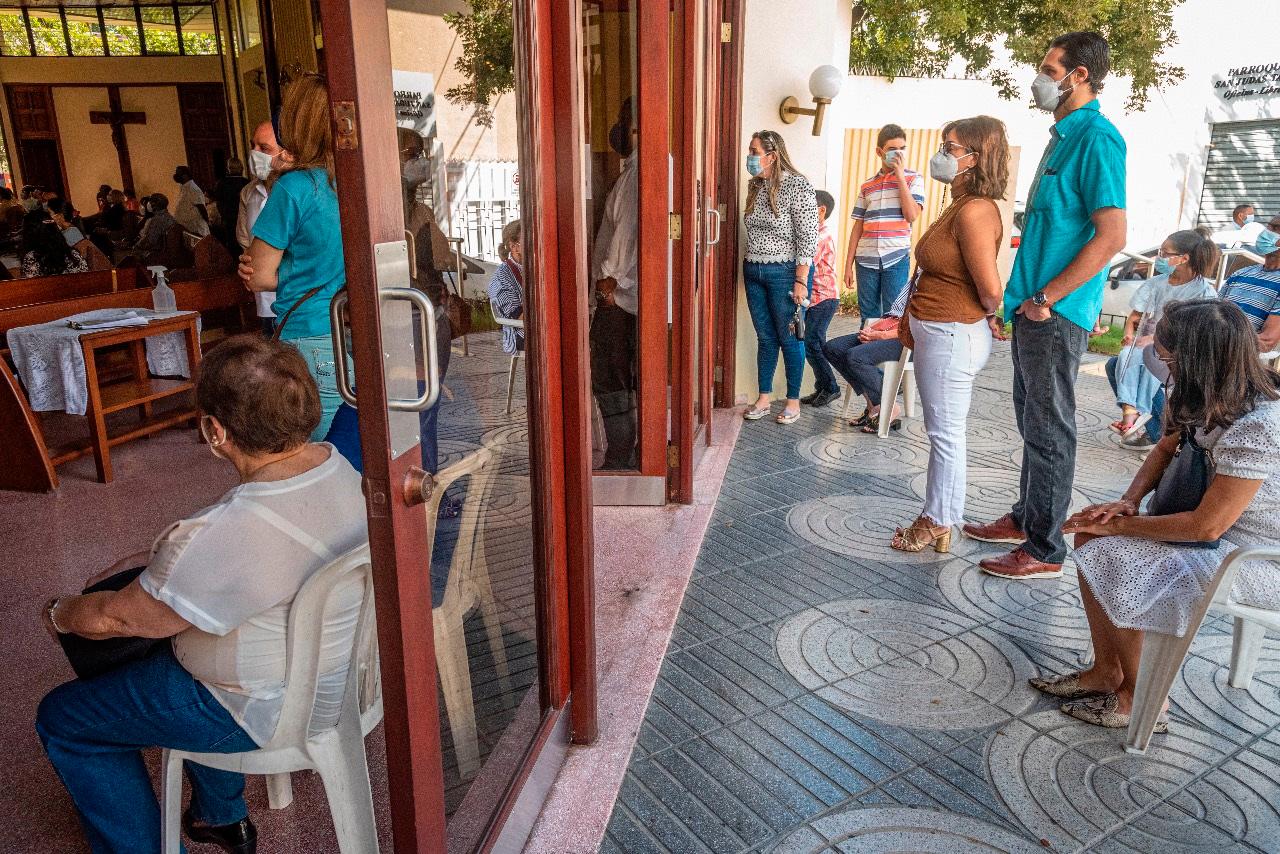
[(560, 449)]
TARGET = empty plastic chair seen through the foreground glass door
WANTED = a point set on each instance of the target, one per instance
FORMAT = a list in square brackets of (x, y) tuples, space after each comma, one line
[(468, 588)]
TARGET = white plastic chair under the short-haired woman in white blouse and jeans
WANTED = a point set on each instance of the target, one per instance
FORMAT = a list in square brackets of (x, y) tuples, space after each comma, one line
[(321, 727)]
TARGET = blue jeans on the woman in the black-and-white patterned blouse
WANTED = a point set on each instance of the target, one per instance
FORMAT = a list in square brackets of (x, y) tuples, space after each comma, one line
[(769, 298)]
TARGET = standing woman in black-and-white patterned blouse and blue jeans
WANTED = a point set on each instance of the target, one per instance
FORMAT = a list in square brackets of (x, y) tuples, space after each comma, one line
[(781, 240)]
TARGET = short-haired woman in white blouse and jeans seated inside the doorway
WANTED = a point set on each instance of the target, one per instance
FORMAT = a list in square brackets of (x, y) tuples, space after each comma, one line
[(189, 651)]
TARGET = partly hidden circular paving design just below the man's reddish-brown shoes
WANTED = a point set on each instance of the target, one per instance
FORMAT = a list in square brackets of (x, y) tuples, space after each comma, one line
[(1043, 611)]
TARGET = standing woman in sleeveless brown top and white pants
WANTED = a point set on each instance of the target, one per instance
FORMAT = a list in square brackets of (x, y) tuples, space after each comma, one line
[(952, 314)]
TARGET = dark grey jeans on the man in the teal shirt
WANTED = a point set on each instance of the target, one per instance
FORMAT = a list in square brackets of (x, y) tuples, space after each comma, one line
[(1046, 363)]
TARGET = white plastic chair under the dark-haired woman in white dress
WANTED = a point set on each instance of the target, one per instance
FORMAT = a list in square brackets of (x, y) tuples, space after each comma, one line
[(1163, 655)]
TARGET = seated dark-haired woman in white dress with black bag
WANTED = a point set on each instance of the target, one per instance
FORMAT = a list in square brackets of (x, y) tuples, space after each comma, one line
[(1148, 573)]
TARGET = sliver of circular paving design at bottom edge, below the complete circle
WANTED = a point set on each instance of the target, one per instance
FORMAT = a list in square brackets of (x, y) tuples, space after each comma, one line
[(903, 829)]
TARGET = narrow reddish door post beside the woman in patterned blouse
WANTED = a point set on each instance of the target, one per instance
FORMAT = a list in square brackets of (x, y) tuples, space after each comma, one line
[(728, 186)]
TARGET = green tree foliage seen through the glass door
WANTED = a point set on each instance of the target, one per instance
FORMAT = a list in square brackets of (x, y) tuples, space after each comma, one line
[(488, 60)]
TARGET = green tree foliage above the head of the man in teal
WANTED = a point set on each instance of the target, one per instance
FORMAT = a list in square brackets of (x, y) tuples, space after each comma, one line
[(921, 38)]
